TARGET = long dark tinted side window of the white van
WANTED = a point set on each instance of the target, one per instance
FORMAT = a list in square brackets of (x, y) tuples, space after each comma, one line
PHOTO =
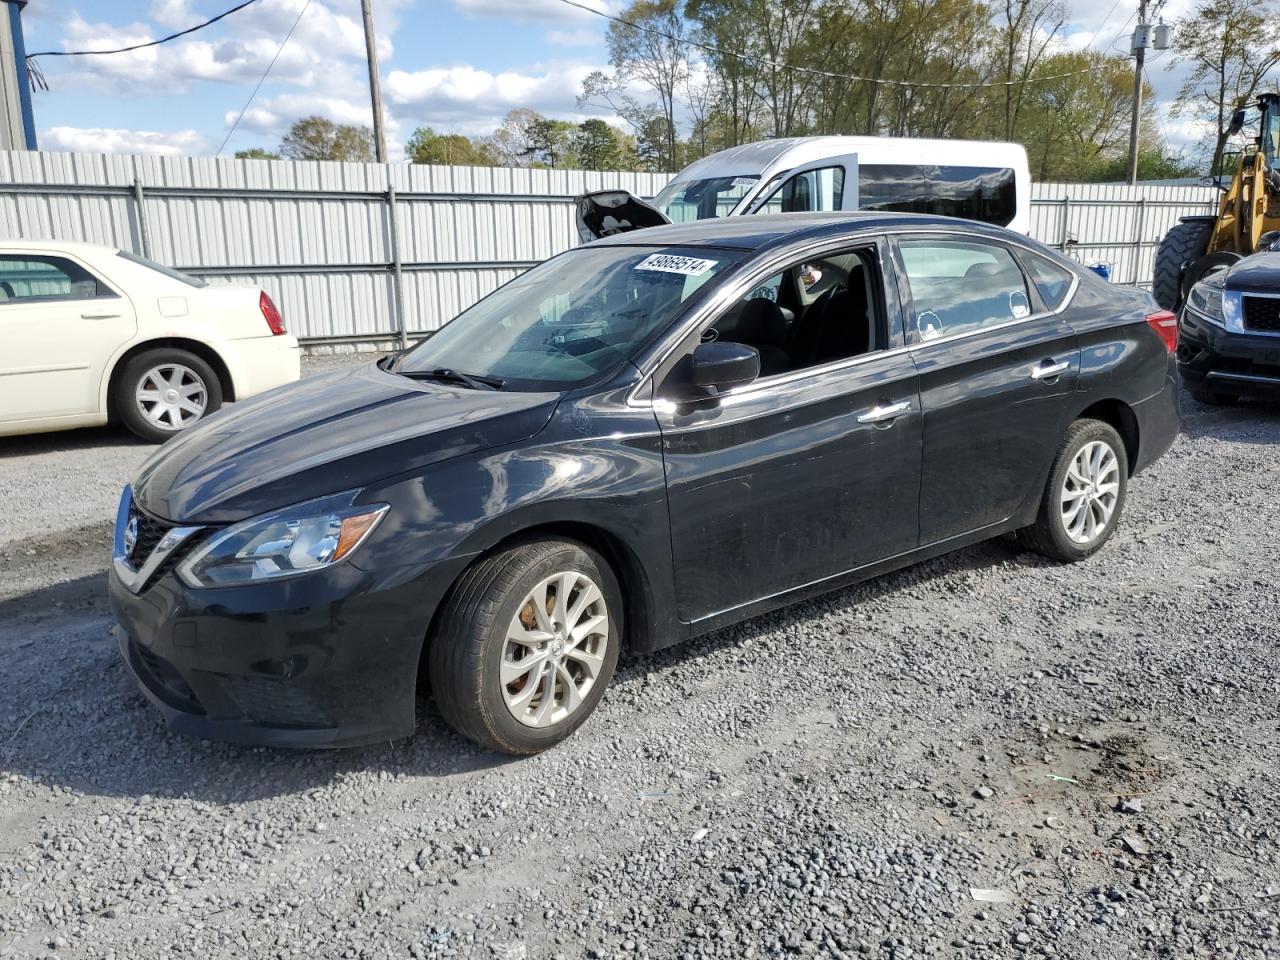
[(986, 194)]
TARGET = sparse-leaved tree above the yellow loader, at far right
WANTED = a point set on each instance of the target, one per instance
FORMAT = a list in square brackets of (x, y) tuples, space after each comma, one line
[(1231, 47)]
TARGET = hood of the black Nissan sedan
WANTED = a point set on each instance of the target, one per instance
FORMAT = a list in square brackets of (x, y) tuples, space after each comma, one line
[(324, 436)]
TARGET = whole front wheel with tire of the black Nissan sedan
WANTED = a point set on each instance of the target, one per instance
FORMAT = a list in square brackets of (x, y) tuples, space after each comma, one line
[(527, 644)]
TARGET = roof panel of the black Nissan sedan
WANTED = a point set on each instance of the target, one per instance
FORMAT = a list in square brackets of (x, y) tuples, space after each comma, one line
[(760, 231)]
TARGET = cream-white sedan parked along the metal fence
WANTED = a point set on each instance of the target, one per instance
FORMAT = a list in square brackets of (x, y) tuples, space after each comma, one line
[(93, 333)]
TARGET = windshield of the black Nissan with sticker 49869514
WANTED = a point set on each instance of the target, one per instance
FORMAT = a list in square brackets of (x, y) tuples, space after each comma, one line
[(570, 321)]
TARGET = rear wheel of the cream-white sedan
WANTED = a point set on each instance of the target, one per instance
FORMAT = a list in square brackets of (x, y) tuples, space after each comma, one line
[(163, 392)]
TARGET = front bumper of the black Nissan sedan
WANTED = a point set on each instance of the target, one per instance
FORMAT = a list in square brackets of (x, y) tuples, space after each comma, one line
[(327, 660)]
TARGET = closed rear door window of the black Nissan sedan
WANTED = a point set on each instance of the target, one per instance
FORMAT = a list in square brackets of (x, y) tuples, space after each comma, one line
[(963, 286)]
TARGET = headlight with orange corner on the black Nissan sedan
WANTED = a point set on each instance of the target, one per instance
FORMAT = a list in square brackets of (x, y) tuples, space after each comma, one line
[(287, 543)]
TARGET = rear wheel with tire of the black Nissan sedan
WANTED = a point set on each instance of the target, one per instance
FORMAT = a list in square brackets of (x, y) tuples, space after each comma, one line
[(1085, 495)]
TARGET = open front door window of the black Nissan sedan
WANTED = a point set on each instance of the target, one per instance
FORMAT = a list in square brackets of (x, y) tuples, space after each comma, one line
[(793, 330)]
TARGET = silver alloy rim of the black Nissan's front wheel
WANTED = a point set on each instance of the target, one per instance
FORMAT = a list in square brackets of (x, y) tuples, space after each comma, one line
[(555, 650)]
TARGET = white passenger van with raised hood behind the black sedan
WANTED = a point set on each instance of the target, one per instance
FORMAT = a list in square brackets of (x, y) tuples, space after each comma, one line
[(975, 180)]
